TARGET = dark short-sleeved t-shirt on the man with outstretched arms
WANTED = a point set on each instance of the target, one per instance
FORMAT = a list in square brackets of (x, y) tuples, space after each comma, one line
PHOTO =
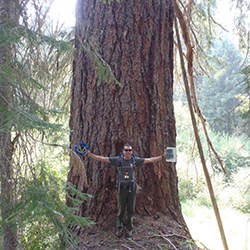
[(126, 168)]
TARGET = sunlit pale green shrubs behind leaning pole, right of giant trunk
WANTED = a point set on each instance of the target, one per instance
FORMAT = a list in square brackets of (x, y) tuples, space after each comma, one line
[(232, 189)]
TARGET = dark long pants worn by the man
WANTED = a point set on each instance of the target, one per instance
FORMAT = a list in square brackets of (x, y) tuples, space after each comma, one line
[(126, 199)]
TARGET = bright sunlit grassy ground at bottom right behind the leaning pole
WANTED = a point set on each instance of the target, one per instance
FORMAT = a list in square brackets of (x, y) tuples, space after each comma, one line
[(203, 227)]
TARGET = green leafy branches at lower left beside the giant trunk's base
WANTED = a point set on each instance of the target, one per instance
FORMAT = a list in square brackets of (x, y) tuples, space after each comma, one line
[(42, 214)]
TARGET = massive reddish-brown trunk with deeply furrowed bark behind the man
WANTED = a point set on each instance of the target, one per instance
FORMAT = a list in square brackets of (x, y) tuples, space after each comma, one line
[(136, 39)]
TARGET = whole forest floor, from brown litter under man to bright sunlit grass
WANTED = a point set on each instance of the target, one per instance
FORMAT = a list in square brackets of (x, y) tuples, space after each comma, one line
[(156, 233)]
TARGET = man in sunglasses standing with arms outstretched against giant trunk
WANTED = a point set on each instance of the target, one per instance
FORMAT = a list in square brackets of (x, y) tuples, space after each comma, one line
[(126, 184)]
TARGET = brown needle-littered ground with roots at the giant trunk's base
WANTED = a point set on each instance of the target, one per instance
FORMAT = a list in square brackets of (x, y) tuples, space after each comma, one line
[(149, 233)]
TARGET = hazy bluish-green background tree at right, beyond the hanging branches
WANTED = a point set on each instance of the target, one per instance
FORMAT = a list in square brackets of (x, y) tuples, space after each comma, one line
[(220, 93)]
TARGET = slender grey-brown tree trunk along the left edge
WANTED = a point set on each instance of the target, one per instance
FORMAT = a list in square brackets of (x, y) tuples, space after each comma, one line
[(8, 15)]
